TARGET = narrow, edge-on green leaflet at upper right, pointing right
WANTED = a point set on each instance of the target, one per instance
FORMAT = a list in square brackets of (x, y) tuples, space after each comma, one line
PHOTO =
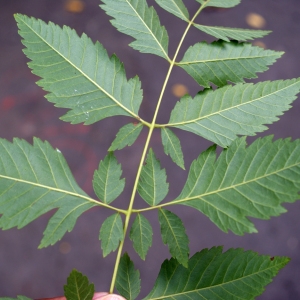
[(226, 33)]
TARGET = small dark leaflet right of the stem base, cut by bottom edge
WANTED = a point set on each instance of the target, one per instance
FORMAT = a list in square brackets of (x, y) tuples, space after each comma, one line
[(128, 282)]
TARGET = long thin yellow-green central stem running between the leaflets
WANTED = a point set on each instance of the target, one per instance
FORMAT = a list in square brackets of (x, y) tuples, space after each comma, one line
[(151, 128)]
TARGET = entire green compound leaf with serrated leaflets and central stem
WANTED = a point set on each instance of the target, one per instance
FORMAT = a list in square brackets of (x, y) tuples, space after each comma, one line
[(243, 181)]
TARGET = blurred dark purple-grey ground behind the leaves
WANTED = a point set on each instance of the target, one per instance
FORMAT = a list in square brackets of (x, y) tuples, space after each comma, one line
[(24, 113)]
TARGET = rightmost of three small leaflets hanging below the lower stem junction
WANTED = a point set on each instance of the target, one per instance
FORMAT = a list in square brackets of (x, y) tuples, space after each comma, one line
[(173, 234)]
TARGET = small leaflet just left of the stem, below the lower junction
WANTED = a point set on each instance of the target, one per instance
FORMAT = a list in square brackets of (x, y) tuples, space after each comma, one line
[(111, 233)]
